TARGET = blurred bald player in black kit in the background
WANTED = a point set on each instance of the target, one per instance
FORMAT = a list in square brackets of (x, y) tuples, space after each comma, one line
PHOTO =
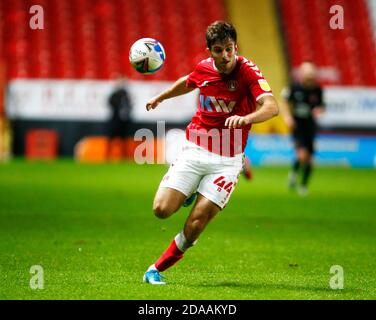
[(302, 105)]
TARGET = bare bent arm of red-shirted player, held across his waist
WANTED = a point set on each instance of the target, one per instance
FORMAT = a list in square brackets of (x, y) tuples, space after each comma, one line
[(267, 108)]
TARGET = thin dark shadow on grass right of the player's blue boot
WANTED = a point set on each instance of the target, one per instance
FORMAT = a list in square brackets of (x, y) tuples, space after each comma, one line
[(256, 286)]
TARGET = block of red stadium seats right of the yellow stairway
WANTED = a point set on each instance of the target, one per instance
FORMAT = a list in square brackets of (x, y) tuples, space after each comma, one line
[(350, 51)]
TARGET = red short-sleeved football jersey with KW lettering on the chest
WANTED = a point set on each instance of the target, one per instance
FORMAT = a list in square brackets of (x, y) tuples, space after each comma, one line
[(222, 96)]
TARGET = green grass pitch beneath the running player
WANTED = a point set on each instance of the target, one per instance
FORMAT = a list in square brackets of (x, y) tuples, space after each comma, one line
[(92, 230)]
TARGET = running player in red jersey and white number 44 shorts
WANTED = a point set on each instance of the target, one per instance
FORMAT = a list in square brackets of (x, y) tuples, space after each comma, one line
[(233, 96)]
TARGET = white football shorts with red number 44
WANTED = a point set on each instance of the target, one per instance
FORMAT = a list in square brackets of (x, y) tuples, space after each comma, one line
[(197, 169)]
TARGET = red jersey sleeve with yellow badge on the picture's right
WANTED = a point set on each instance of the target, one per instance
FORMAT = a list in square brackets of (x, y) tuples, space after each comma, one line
[(259, 87)]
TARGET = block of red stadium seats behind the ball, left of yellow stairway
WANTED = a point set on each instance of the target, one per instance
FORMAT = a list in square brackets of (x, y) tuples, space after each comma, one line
[(90, 39)]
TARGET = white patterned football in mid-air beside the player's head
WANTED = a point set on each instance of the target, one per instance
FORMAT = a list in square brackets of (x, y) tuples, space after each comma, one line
[(147, 55)]
